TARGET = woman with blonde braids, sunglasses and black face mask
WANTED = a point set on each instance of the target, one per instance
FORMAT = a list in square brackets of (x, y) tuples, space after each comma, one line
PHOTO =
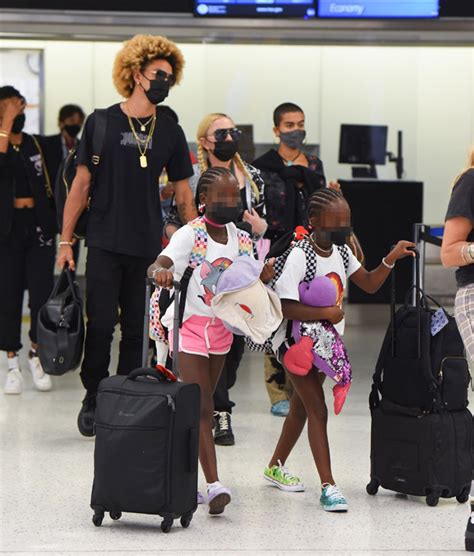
[(217, 147)]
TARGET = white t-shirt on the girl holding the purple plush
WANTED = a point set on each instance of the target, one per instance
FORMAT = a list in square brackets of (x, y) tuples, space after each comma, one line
[(294, 272)]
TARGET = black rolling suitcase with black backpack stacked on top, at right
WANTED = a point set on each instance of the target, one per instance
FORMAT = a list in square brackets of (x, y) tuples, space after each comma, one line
[(421, 442)]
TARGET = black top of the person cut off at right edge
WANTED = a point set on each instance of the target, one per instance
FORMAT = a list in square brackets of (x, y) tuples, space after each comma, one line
[(462, 204)]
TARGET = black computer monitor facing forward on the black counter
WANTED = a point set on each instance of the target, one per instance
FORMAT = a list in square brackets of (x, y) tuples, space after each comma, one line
[(363, 144)]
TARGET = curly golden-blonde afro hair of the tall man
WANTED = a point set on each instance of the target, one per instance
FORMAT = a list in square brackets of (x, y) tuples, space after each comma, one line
[(139, 51)]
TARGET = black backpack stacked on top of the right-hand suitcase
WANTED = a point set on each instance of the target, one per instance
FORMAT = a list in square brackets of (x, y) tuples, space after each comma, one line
[(415, 368)]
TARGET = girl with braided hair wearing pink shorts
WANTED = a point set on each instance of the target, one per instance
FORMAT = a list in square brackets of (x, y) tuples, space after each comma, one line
[(204, 340)]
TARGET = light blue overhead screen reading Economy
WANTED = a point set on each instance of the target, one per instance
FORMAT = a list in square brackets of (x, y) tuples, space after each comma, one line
[(354, 9)]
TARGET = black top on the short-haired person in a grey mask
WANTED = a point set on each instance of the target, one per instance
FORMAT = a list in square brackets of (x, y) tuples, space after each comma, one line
[(287, 189)]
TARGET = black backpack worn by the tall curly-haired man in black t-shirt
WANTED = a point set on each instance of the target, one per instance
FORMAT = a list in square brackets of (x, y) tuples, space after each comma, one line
[(67, 173)]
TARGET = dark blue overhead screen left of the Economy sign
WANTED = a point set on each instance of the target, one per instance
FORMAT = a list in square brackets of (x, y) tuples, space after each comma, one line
[(246, 8)]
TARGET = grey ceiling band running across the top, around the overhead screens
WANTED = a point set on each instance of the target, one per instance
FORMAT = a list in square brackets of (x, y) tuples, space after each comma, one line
[(109, 20)]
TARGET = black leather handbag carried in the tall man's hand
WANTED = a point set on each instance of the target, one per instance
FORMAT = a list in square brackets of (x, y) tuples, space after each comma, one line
[(61, 327)]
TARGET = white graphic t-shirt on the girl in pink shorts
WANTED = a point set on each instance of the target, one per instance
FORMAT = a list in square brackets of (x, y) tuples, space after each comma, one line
[(203, 283)]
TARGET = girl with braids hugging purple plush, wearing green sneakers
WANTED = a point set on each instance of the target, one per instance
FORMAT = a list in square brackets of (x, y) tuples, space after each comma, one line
[(330, 218)]
